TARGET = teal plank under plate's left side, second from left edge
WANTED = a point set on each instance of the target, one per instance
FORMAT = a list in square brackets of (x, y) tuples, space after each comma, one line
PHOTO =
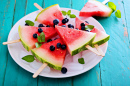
[(14, 73)]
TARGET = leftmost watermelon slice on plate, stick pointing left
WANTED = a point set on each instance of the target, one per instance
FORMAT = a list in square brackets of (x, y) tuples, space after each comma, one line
[(26, 35)]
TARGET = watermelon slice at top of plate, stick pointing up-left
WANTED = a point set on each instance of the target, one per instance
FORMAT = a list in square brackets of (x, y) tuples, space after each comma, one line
[(47, 15)]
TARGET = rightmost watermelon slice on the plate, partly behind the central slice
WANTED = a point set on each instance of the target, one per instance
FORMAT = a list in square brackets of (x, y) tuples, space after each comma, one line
[(101, 37)]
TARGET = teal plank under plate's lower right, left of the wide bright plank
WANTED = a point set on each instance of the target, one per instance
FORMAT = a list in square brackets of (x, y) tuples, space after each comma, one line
[(92, 77)]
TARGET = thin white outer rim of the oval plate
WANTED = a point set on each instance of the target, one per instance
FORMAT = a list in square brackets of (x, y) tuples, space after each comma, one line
[(73, 74)]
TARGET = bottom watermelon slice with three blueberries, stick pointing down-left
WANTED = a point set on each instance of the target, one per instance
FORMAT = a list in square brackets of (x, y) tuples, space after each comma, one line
[(54, 59)]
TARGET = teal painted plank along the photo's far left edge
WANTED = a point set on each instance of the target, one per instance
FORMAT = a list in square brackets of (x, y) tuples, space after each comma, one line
[(6, 17)]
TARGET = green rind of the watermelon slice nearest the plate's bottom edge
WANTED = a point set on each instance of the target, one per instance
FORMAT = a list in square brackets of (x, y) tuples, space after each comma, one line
[(44, 61)]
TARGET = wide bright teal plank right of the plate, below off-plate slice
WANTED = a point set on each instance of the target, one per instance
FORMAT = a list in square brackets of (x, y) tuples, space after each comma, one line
[(115, 65)]
